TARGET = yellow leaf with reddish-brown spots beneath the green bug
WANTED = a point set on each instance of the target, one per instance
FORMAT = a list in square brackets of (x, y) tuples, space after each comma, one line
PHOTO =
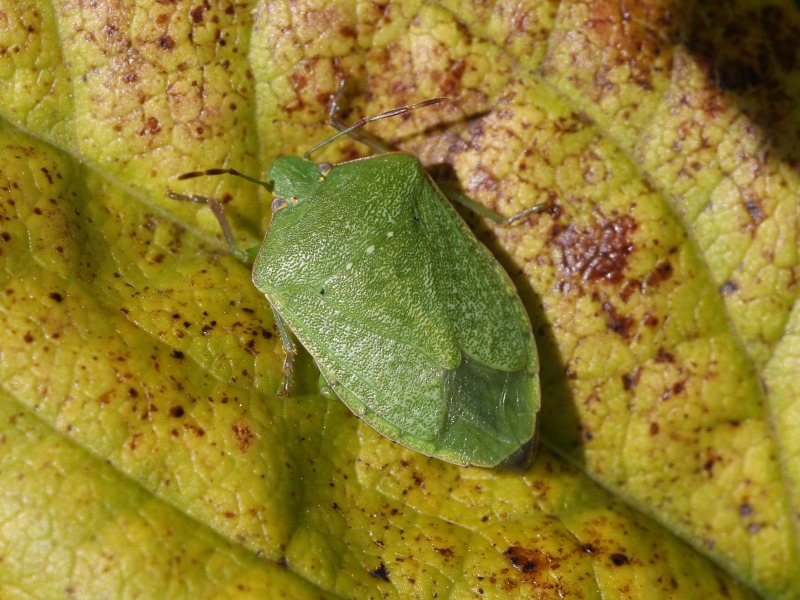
[(144, 452)]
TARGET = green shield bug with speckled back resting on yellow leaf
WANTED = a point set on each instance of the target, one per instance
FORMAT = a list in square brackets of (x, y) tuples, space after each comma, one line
[(410, 319)]
